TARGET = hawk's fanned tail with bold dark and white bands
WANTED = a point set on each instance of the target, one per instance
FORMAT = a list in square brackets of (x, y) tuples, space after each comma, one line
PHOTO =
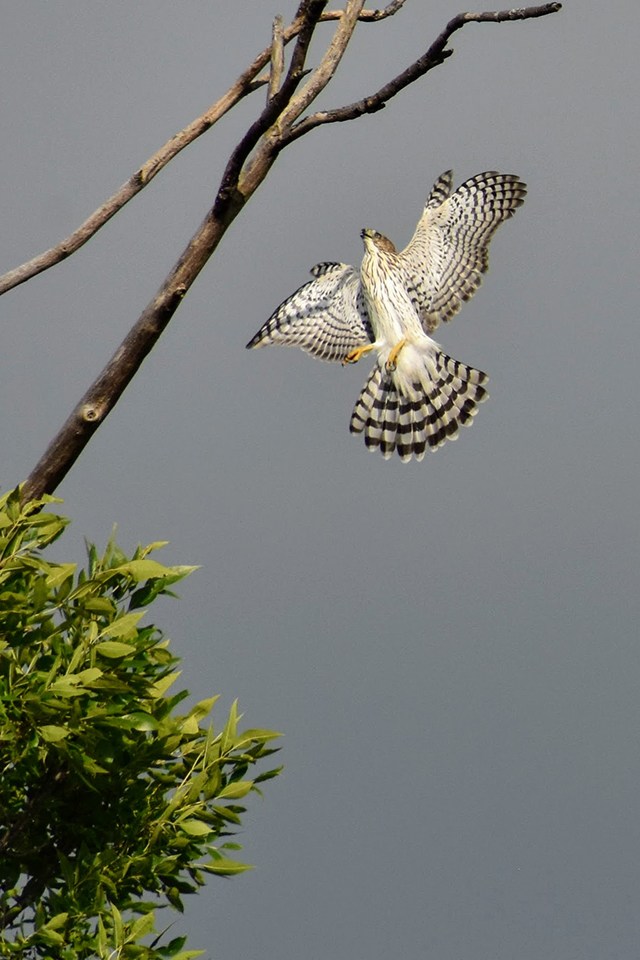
[(392, 420)]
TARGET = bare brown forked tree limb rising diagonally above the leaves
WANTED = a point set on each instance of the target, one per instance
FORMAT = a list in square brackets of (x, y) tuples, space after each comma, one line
[(278, 125)]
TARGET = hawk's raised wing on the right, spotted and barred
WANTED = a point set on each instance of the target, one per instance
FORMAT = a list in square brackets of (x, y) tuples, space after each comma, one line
[(448, 253)]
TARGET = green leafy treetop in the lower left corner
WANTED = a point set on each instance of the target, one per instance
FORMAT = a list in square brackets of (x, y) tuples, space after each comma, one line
[(111, 804)]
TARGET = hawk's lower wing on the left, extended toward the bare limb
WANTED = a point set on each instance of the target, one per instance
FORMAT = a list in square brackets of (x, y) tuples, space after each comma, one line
[(326, 317)]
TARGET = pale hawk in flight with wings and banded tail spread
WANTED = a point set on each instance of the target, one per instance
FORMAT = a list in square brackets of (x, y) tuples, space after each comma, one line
[(416, 396)]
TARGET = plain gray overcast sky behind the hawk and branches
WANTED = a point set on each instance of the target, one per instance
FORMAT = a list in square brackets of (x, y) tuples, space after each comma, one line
[(450, 647)]
